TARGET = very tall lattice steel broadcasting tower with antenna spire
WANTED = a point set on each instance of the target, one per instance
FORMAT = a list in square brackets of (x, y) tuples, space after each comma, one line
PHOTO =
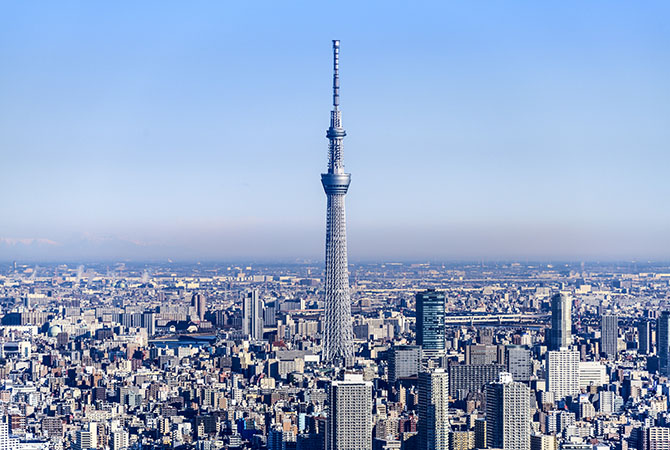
[(338, 334)]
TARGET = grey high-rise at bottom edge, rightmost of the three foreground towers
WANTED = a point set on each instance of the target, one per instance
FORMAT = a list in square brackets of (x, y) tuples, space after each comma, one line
[(508, 414)]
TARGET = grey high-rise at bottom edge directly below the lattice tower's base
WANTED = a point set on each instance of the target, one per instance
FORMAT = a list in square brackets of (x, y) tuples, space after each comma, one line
[(349, 422)]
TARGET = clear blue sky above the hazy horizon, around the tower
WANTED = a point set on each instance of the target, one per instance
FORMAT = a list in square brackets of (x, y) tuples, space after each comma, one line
[(196, 130)]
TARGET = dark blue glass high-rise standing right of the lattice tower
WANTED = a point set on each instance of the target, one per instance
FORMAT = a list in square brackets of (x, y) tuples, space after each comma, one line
[(430, 331)]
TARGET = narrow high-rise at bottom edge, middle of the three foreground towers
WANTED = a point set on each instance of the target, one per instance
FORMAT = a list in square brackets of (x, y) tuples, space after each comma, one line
[(434, 410)]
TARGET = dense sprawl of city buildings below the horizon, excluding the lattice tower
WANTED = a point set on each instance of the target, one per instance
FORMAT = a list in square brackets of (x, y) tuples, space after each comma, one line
[(514, 356)]
